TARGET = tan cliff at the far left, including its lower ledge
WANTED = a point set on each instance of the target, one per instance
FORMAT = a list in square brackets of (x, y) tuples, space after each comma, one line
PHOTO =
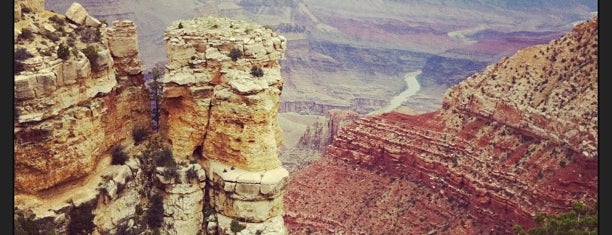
[(79, 94)]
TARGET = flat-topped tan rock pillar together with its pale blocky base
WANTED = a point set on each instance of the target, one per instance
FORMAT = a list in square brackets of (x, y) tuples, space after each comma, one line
[(220, 104)]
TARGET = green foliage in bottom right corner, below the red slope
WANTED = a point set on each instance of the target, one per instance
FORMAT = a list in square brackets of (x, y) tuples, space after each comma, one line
[(580, 220)]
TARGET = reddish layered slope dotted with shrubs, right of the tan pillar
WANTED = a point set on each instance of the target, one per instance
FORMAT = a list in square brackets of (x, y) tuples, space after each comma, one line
[(517, 139)]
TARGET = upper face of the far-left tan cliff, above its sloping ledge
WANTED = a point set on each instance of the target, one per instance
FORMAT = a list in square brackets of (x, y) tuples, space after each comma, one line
[(69, 112)]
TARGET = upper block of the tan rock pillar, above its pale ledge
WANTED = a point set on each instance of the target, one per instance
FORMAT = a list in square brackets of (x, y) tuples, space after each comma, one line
[(210, 100)]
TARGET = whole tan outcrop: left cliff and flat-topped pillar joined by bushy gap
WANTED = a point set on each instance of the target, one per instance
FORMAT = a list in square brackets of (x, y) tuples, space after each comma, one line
[(80, 97)]
